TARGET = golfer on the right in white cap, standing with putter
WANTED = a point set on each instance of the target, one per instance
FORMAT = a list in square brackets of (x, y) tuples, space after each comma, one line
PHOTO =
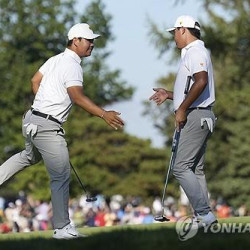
[(193, 98)]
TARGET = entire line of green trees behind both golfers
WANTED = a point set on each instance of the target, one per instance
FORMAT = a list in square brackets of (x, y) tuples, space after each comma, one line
[(108, 161)]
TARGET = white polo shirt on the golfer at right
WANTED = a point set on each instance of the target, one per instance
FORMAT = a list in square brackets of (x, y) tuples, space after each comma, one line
[(194, 58)]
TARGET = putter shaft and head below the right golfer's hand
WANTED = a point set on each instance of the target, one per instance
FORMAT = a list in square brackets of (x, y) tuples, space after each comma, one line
[(162, 218)]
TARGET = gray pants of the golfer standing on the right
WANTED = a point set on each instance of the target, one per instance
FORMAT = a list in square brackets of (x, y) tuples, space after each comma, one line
[(189, 164)]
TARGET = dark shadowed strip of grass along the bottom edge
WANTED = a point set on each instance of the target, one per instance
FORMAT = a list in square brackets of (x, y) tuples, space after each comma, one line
[(125, 239)]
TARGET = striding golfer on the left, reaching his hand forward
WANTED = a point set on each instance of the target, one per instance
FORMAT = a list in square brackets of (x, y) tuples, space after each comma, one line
[(57, 85)]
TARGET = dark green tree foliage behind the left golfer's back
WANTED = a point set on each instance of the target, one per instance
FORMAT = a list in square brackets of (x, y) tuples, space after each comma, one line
[(29, 34)]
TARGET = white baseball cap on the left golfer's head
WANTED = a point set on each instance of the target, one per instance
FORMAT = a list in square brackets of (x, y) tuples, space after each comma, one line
[(81, 30)]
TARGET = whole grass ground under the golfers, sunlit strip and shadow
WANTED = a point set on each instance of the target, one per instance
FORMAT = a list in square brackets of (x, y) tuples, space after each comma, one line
[(156, 236)]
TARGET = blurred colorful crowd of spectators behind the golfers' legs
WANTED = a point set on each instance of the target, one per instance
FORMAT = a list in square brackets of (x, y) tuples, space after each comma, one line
[(24, 214)]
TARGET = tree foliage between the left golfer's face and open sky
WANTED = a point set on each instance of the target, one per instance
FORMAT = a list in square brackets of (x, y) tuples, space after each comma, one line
[(102, 84)]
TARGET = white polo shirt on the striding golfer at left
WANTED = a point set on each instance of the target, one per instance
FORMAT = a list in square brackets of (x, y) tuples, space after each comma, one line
[(59, 73)]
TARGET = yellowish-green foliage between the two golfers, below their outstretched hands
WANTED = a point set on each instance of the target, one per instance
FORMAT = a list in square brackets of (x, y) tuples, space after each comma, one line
[(112, 162)]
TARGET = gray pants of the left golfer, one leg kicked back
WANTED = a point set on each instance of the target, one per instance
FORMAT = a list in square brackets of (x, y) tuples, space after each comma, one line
[(44, 139)]
